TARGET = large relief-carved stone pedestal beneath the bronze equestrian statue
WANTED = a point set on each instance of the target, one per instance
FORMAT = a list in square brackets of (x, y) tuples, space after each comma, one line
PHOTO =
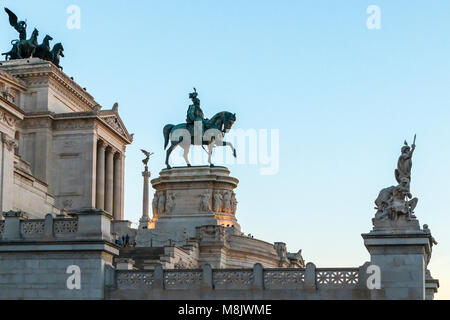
[(187, 198)]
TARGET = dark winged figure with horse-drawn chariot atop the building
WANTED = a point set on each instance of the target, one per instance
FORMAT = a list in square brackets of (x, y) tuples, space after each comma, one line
[(24, 48)]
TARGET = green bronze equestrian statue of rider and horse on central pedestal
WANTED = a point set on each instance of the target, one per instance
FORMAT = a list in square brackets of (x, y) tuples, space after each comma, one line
[(198, 131)]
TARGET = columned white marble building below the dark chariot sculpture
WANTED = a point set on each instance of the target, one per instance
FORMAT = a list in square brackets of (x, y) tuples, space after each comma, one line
[(72, 149)]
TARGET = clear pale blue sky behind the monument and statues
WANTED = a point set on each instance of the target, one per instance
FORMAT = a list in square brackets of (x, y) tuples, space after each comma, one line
[(343, 97)]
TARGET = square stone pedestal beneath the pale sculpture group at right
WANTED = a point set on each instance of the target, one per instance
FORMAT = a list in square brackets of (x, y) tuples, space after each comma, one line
[(400, 250)]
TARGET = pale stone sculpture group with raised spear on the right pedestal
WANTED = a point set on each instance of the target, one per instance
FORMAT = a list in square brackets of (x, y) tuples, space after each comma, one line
[(397, 201)]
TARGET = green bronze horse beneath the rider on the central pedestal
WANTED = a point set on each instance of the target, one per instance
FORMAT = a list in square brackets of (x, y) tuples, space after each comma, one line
[(181, 135)]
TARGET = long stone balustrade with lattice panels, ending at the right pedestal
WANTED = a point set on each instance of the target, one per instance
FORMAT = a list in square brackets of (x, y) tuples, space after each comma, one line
[(310, 282)]
